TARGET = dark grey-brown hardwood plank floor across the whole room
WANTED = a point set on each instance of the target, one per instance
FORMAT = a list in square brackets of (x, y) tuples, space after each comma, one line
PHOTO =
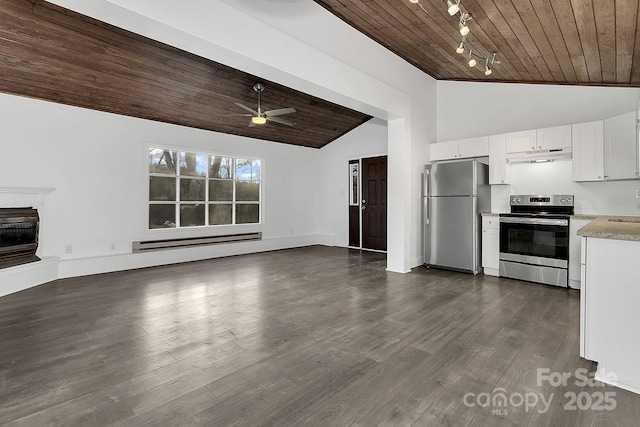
[(311, 336)]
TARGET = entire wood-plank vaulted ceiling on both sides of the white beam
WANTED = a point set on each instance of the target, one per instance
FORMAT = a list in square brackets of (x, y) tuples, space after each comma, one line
[(52, 53)]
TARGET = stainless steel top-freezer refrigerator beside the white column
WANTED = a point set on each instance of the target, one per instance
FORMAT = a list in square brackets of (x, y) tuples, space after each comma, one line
[(454, 195)]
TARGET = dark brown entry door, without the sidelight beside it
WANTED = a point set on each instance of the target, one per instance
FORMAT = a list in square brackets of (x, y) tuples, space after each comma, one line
[(374, 203)]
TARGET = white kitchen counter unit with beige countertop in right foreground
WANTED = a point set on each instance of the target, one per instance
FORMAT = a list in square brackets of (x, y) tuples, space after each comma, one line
[(609, 300)]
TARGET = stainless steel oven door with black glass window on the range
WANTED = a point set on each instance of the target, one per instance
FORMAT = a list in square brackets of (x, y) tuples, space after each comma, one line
[(535, 240)]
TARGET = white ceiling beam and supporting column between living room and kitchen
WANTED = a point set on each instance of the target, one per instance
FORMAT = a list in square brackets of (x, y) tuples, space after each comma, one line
[(305, 47)]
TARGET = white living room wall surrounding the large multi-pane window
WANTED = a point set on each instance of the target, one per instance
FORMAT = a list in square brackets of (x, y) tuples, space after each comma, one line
[(97, 163)]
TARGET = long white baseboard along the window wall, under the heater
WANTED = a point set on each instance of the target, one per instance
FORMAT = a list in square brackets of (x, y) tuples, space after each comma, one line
[(109, 263)]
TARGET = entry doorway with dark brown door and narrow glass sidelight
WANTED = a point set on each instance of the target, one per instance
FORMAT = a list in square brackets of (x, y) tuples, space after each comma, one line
[(370, 210)]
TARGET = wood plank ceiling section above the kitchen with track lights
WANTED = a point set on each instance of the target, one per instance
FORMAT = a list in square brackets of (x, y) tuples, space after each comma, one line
[(586, 42)]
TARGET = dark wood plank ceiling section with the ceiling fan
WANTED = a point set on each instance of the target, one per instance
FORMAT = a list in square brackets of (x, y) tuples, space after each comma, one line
[(51, 53)]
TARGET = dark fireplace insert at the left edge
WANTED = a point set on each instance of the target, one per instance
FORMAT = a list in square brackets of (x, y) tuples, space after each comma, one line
[(18, 236)]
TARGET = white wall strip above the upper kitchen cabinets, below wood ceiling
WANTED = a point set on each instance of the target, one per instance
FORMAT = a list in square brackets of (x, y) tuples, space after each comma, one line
[(468, 109)]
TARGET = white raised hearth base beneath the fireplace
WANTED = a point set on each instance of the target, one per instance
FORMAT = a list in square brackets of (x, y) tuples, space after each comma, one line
[(25, 276)]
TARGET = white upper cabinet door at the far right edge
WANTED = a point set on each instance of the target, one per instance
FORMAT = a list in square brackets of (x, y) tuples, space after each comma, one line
[(620, 147)]
